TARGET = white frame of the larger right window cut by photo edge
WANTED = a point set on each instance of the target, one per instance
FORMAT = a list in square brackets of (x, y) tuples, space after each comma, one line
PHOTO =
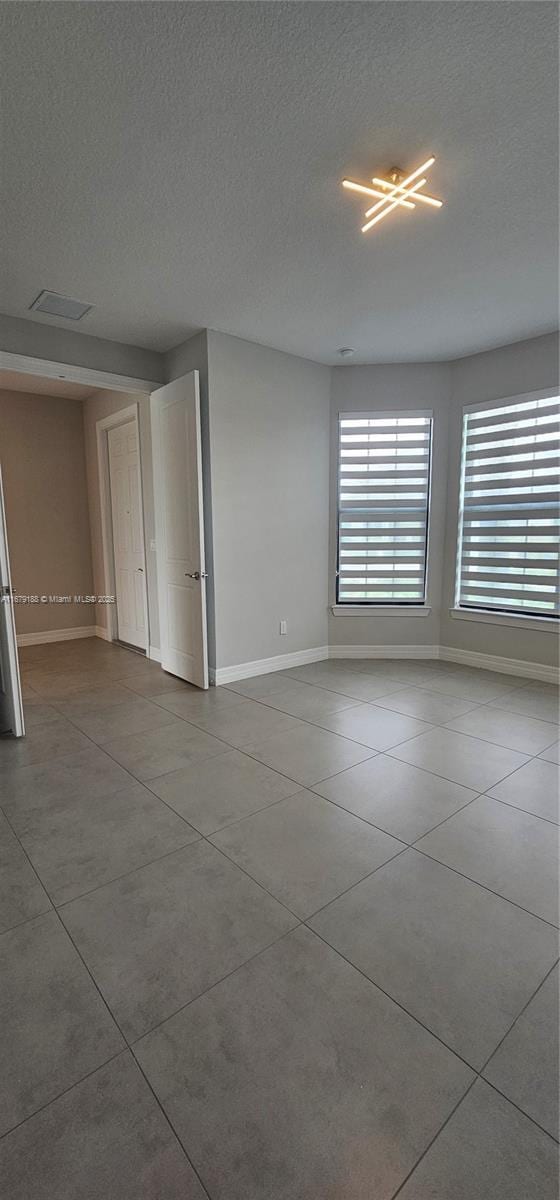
[(527, 620)]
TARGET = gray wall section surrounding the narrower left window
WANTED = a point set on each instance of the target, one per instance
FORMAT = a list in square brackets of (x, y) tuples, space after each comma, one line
[(395, 387)]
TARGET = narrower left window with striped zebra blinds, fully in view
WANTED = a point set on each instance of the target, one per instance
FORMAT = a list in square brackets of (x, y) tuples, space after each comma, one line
[(384, 465)]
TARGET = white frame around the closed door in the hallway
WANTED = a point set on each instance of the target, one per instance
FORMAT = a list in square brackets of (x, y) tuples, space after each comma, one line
[(123, 417)]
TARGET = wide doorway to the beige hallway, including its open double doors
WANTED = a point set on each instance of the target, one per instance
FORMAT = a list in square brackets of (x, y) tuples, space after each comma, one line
[(107, 501)]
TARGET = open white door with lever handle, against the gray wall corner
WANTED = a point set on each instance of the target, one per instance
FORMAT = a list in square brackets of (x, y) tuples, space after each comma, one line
[(178, 487)]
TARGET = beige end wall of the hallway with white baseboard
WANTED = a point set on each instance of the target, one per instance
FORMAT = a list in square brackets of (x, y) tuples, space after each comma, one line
[(45, 484)]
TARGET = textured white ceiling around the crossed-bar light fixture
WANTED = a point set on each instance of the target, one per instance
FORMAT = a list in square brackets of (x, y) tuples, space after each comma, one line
[(179, 166)]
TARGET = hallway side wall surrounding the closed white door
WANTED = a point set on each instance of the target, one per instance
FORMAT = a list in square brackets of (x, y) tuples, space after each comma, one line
[(105, 404)]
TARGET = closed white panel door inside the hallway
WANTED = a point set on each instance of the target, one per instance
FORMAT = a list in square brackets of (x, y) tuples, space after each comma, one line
[(128, 535)]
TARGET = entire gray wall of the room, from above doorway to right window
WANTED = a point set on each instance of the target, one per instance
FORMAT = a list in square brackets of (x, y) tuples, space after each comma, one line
[(266, 451)]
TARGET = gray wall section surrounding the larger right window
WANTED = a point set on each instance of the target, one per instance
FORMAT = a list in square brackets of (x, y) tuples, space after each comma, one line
[(509, 371)]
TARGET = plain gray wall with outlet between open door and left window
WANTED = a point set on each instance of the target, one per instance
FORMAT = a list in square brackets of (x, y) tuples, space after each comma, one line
[(269, 436)]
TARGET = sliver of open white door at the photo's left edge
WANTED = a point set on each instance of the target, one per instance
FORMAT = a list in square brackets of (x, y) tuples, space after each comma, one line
[(11, 705)]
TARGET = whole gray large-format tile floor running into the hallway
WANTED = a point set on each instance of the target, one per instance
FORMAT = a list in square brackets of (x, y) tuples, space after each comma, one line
[(296, 939)]
